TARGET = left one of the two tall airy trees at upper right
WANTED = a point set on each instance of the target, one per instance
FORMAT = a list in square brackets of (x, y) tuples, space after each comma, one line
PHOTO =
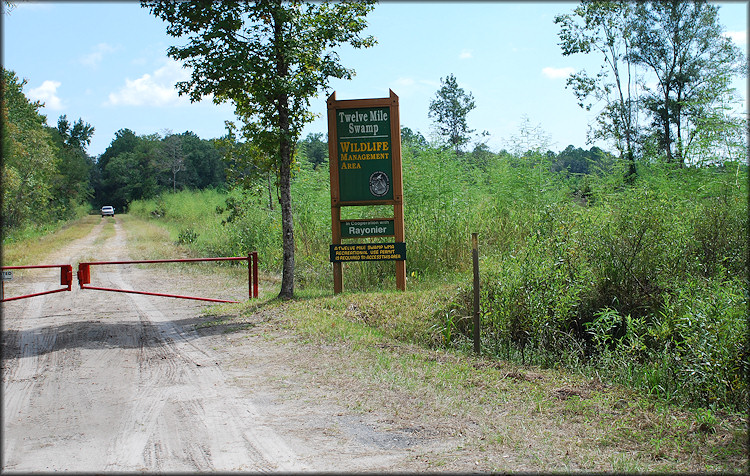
[(602, 27)]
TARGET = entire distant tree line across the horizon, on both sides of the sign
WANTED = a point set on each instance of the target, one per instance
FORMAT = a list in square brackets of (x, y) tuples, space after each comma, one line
[(49, 176)]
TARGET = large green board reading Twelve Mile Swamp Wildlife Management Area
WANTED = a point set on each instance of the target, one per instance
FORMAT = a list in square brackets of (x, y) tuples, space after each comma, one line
[(364, 154)]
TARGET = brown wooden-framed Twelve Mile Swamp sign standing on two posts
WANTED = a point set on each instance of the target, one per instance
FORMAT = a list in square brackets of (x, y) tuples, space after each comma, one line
[(364, 149)]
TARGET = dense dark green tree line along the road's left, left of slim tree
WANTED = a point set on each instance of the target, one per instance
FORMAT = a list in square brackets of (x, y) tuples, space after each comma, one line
[(49, 176)]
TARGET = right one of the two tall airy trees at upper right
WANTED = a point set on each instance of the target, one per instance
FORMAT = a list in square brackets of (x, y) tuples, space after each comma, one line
[(682, 45)]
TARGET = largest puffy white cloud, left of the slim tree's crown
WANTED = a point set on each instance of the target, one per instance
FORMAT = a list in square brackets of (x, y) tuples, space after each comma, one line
[(157, 89)]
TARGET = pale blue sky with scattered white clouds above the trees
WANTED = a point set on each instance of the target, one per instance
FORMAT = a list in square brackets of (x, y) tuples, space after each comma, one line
[(106, 63)]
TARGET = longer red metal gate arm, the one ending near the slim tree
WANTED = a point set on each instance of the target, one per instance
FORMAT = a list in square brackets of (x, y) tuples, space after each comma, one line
[(84, 275)]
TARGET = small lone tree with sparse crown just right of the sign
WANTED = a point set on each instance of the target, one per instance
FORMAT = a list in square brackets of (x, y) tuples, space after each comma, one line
[(449, 110)]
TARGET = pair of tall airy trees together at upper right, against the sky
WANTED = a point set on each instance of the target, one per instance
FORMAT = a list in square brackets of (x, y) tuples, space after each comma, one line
[(680, 48)]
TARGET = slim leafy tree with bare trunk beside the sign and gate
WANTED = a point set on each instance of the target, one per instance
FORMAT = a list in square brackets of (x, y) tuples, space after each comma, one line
[(269, 59)]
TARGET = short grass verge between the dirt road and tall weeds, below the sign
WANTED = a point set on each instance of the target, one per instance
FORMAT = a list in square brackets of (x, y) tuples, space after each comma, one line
[(378, 355)]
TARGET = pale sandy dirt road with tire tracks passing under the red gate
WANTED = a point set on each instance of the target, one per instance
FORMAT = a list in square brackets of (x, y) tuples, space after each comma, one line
[(97, 381)]
